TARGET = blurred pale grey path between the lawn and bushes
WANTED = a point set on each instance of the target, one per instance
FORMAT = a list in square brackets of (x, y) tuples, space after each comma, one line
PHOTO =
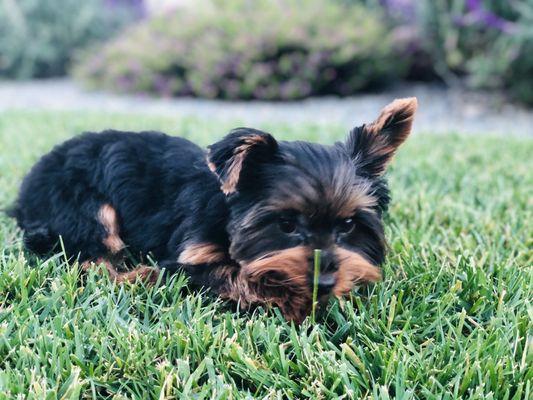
[(441, 110)]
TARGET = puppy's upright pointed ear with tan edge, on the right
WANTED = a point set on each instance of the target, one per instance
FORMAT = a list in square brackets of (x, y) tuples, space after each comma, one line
[(372, 146)]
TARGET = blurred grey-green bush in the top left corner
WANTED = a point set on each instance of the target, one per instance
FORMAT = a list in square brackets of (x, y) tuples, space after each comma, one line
[(38, 37)]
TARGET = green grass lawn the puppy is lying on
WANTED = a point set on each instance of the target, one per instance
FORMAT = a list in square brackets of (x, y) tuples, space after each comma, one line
[(452, 318)]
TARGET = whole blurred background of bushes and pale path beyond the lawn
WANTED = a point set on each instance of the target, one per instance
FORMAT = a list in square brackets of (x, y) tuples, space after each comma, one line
[(470, 62)]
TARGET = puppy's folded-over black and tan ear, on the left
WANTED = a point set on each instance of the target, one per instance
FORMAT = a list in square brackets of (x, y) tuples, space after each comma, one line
[(237, 157)]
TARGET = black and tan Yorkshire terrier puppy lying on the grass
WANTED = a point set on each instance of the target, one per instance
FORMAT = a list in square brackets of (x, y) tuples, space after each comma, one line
[(241, 218)]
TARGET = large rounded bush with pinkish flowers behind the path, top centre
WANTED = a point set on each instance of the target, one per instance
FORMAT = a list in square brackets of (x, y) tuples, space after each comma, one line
[(244, 49)]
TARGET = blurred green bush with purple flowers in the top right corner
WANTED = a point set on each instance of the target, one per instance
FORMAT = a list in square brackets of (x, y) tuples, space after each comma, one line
[(490, 43)]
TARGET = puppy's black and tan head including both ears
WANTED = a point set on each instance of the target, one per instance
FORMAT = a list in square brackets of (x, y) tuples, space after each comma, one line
[(289, 198)]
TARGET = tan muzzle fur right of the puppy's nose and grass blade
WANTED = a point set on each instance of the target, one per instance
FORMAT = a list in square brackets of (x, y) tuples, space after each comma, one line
[(353, 268)]
